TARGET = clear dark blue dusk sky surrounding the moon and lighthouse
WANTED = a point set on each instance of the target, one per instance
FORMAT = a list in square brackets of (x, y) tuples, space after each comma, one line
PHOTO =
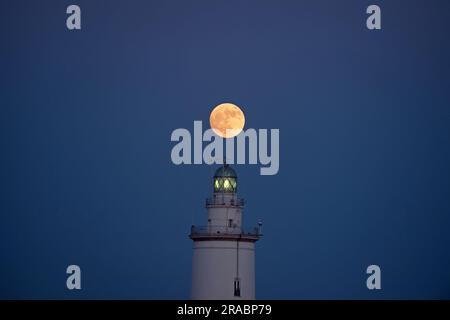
[(86, 118)]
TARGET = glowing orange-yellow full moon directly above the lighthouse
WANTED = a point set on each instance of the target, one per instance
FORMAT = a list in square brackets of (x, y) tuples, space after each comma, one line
[(227, 120)]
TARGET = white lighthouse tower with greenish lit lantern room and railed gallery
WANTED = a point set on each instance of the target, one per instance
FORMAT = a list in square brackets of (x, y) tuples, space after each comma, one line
[(223, 262)]
